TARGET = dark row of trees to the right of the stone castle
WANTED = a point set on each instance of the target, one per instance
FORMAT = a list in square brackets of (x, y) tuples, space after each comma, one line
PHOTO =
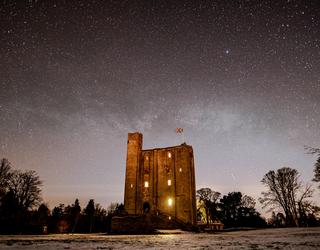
[(286, 197)]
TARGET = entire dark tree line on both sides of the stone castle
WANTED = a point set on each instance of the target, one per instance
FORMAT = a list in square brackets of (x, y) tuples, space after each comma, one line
[(23, 211)]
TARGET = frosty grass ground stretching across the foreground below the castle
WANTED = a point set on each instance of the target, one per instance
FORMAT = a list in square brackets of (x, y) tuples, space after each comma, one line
[(292, 238)]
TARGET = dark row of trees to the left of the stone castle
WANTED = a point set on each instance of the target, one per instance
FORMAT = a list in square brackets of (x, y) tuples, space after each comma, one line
[(22, 210)]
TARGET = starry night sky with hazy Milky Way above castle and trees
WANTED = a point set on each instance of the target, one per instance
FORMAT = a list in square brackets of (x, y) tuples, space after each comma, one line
[(241, 77)]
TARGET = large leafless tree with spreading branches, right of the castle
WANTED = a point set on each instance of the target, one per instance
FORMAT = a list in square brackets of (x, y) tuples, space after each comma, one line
[(285, 191)]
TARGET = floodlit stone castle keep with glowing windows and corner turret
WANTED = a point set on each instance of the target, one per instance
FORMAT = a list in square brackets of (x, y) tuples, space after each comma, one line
[(160, 183)]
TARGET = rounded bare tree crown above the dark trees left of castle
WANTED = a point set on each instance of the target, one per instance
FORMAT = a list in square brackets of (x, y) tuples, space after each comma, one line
[(25, 187)]
